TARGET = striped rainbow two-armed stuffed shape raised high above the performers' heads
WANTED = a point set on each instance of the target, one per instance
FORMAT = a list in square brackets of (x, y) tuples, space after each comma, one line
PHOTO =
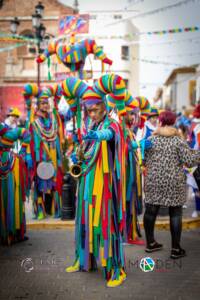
[(73, 55)]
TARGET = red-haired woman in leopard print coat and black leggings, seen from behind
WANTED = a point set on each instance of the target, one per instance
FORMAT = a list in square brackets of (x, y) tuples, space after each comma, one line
[(165, 182)]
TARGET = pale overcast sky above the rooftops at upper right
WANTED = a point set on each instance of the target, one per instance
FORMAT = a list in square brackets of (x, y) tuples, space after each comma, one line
[(168, 51)]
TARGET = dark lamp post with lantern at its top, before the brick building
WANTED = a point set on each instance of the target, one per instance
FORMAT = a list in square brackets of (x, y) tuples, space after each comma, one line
[(39, 32)]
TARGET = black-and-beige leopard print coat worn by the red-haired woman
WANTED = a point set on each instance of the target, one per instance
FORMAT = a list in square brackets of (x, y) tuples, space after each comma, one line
[(165, 181)]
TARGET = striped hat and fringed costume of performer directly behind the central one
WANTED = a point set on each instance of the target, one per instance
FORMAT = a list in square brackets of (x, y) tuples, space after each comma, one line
[(133, 173)]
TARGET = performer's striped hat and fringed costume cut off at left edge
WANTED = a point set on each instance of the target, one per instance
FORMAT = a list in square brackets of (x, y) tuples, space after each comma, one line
[(13, 185)]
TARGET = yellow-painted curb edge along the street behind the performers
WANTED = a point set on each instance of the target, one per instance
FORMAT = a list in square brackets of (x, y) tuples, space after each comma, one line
[(189, 223)]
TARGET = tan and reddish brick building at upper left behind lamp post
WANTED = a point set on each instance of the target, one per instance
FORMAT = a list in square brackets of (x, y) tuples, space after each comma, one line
[(18, 66)]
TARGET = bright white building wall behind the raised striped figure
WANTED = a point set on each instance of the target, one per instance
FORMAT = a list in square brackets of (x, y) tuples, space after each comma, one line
[(112, 38)]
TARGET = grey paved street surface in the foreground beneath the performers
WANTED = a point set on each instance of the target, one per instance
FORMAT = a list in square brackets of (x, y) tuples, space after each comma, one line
[(35, 269)]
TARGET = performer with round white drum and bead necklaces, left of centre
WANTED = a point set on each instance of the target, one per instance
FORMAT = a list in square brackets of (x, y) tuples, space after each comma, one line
[(46, 145)]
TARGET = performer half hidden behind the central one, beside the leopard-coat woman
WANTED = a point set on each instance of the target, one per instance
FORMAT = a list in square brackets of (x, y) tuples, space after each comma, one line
[(133, 161)]
